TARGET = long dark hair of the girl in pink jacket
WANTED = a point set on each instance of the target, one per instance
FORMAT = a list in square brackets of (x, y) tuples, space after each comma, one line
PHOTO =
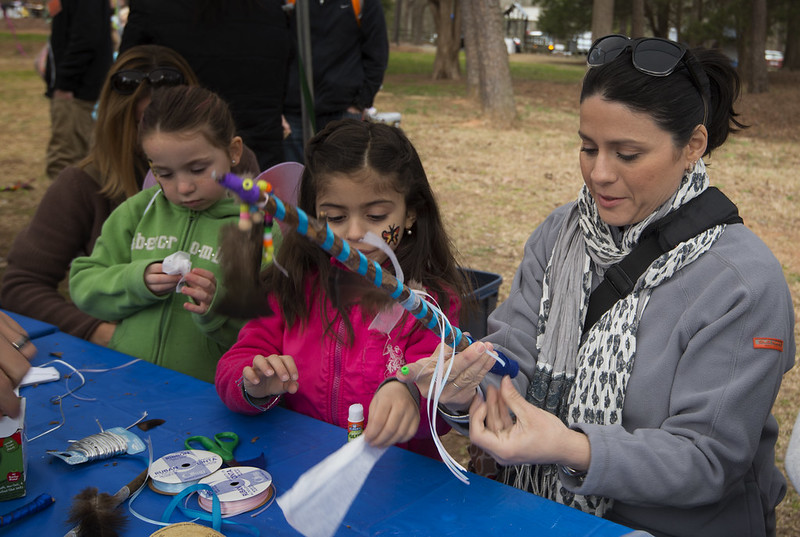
[(426, 255)]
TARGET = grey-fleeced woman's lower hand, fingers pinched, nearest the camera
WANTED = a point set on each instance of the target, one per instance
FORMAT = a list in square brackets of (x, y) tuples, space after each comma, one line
[(534, 437)]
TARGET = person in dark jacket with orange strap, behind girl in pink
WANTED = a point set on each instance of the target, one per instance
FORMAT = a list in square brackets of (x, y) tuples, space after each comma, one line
[(350, 52)]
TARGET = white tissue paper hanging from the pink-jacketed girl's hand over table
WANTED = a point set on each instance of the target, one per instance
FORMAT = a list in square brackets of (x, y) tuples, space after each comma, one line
[(319, 499)]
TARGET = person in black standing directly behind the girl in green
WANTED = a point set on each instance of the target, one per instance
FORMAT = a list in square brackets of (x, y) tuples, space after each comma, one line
[(238, 49)]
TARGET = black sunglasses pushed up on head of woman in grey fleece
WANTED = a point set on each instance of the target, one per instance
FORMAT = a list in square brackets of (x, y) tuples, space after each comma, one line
[(652, 56)]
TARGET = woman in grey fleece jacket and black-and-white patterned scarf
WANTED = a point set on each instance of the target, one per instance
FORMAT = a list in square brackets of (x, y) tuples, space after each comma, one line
[(650, 407)]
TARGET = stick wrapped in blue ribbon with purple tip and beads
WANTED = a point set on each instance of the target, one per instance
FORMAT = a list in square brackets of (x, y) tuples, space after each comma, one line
[(257, 195)]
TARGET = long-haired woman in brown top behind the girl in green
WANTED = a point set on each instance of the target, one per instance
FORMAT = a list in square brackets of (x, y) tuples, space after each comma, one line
[(77, 203)]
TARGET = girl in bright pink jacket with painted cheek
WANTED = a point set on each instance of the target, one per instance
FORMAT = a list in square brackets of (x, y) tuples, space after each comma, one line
[(331, 341)]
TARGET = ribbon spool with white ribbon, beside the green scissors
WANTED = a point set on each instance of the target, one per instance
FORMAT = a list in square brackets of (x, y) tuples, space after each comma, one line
[(176, 471)]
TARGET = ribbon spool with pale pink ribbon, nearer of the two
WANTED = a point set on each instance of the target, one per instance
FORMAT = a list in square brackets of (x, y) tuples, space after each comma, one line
[(239, 489)]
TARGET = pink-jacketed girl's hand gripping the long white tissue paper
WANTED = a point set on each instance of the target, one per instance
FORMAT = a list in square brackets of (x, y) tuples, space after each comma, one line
[(393, 416)]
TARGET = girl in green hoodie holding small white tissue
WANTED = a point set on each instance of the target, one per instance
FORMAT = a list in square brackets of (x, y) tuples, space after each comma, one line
[(167, 316)]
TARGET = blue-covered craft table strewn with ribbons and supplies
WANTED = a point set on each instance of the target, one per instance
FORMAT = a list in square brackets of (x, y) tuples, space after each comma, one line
[(406, 494)]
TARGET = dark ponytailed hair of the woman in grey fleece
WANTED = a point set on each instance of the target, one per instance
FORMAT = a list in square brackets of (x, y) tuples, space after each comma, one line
[(674, 102)]
